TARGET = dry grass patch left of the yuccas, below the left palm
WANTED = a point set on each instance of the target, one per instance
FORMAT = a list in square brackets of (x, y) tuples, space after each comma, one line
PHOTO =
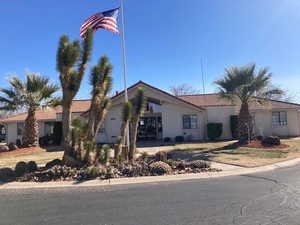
[(40, 157)]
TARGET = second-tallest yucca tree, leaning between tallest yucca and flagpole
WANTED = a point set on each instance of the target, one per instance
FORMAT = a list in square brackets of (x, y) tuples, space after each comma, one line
[(101, 82)]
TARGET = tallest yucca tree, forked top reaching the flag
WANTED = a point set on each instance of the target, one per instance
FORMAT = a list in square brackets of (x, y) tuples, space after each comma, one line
[(72, 59)]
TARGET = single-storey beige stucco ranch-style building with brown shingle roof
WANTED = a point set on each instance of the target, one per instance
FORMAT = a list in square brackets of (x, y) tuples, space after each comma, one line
[(167, 115)]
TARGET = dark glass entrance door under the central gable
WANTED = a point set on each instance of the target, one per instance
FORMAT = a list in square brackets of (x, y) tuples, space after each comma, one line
[(150, 128)]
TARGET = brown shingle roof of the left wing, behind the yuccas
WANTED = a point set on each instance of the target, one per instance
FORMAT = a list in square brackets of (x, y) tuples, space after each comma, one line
[(78, 106)]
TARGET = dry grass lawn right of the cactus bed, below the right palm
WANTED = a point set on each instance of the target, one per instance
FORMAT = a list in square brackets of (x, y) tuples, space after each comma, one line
[(227, 152)]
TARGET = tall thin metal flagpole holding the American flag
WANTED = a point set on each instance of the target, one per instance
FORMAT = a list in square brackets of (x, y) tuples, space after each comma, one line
[(124, 60)]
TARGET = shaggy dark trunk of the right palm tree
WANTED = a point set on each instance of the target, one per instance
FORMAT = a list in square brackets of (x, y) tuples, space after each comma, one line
[(245, 125)]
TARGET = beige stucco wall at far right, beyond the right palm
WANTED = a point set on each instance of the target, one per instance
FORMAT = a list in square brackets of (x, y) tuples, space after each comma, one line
[(263, 124)]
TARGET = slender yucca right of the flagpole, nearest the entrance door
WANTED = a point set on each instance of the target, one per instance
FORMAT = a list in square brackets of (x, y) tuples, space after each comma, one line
[(138, 107)]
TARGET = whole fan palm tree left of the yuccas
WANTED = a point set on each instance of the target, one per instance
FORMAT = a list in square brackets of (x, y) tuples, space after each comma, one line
[(33, 93)]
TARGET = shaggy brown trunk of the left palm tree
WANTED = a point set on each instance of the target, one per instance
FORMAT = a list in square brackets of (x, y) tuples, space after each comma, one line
[(31, 129)]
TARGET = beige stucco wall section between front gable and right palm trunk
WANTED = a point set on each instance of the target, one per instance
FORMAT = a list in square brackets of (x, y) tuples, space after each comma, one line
[(218, 114)]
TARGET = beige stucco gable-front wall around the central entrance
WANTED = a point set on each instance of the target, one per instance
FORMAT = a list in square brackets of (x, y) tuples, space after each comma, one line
[(172, 111)]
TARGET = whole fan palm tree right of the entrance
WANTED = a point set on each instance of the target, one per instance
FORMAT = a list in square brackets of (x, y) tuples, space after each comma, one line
[(245, 84)]
